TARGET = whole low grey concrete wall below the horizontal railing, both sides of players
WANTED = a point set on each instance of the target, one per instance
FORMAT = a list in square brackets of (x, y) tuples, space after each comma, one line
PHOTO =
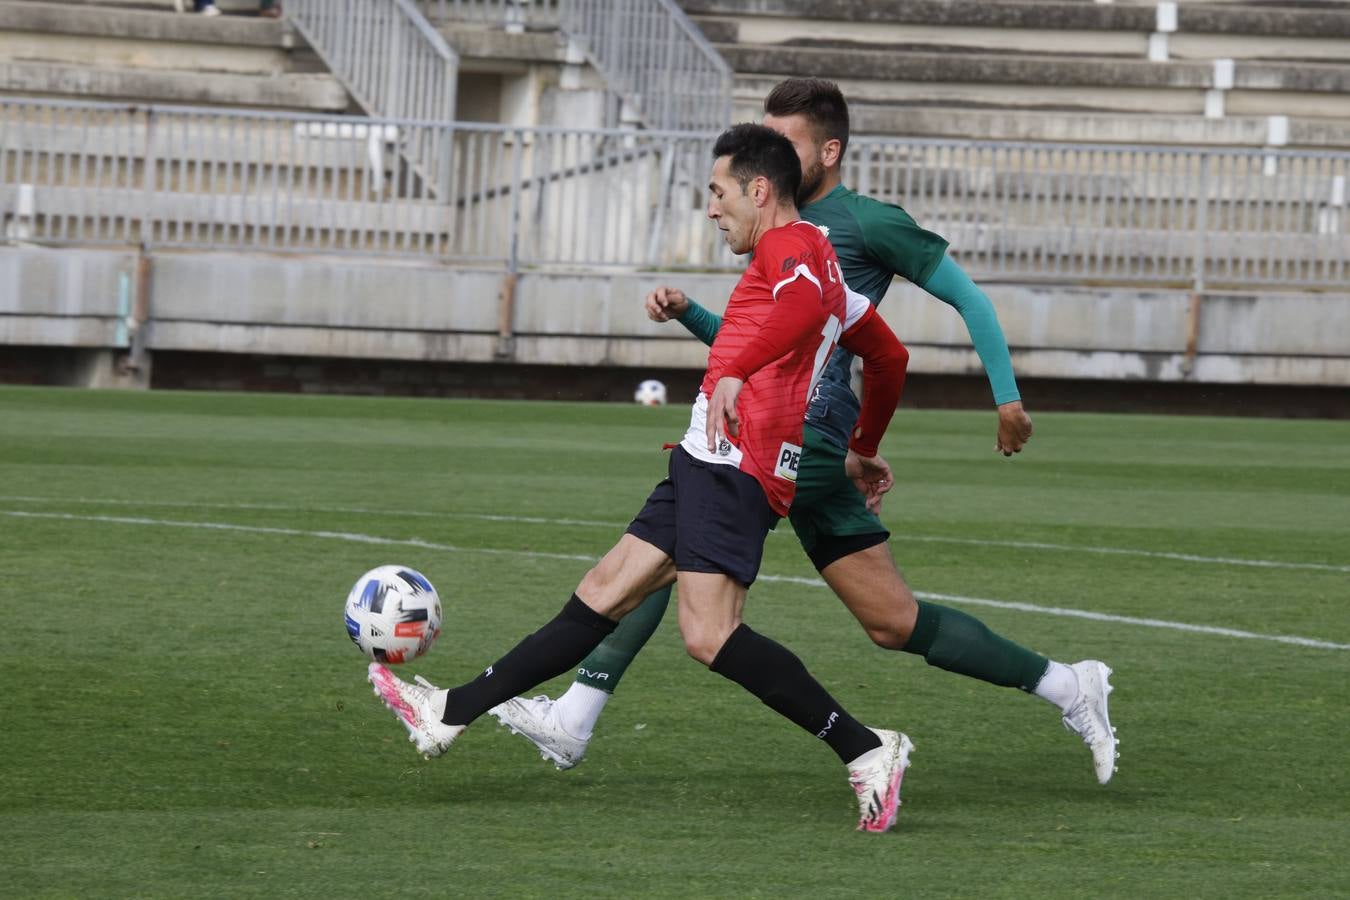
[(331, 307)]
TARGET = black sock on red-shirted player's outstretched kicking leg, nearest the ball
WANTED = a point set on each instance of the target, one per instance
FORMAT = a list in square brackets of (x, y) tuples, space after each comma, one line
[(549, 652)]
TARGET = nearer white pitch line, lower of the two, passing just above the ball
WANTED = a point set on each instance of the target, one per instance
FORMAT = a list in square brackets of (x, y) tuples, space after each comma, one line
[(784, 580)]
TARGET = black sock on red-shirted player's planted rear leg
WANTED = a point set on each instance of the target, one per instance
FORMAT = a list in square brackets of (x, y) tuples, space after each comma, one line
[(773, 674)]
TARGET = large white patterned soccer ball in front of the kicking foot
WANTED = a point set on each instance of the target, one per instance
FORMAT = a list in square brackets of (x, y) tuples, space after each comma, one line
[(394, 615)]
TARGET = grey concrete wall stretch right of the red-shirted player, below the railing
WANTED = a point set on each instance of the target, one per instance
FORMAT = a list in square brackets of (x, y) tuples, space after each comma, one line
[(1140, 334)]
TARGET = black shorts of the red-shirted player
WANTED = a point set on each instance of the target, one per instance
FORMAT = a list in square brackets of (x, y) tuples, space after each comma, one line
[(708, 519)]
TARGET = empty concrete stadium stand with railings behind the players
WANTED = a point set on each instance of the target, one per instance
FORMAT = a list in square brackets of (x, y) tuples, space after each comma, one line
[(1147, 192)]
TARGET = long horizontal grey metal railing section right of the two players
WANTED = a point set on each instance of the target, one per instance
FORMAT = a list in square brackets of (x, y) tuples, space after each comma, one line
[(1052, 213)]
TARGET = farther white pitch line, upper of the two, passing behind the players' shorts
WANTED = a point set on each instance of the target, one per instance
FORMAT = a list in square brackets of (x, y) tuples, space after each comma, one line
[(537, 520)]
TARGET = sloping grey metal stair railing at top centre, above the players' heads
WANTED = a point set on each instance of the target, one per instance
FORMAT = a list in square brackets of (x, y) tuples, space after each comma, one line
[(654, 60)]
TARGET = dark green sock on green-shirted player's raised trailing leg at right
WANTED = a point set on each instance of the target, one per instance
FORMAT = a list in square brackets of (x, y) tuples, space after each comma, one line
[(959, 643)]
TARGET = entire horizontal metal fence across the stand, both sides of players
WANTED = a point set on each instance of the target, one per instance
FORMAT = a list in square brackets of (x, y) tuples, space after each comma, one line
[(83, 173)]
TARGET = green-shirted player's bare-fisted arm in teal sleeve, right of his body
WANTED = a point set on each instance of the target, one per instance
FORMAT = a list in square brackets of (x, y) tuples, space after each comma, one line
[(952, 285)]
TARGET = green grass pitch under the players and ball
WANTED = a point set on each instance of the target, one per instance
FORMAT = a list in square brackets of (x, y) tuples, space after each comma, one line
[(184, 716)]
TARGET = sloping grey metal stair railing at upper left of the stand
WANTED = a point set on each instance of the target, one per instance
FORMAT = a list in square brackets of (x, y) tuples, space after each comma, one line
[(394, 63)]
